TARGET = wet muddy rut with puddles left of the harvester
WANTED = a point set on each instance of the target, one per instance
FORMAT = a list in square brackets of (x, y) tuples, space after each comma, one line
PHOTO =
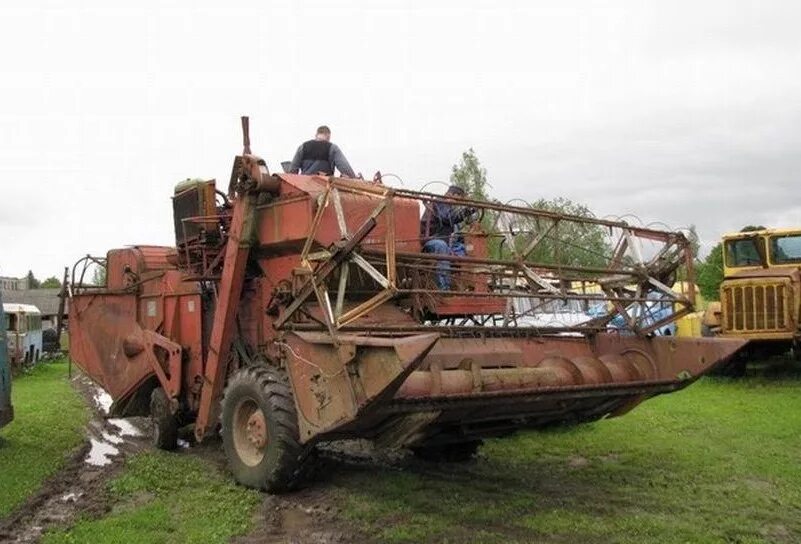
[(80, 487)]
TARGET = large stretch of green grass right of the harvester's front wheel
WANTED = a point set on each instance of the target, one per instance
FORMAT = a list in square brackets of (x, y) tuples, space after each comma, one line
[(718, 462)]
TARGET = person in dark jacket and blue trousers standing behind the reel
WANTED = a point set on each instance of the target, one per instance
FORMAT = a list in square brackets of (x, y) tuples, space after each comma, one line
[(439, 232)]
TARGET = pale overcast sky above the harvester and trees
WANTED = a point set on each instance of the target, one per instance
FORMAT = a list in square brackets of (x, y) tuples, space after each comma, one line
[(679, 112)]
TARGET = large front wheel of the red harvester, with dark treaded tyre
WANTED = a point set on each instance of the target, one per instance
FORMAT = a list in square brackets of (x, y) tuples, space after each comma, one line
[(260, 429)]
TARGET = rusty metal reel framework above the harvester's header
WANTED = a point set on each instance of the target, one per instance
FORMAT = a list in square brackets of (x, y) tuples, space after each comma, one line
[(627, 280)]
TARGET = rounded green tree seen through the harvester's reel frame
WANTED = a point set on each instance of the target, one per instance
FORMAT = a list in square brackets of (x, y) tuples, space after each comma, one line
[(578, 244)]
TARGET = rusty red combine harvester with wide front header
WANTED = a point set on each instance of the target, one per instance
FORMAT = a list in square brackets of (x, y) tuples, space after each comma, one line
[(296, 310)]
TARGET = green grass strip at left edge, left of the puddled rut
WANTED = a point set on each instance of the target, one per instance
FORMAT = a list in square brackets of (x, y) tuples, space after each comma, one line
[(48, 425)]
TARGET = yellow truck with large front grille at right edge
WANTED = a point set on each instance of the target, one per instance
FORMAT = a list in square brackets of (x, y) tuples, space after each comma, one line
[(760, 295)]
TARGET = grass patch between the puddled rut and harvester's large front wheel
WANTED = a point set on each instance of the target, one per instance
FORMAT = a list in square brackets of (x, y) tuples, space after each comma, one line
[(165, 498)]
